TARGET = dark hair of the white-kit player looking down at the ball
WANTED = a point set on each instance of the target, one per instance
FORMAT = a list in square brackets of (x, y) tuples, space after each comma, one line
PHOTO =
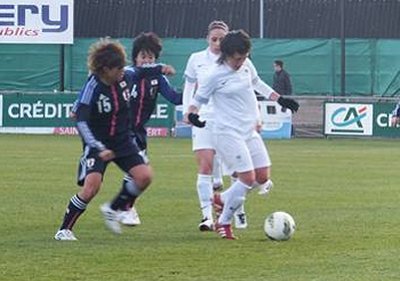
[(236, 41)]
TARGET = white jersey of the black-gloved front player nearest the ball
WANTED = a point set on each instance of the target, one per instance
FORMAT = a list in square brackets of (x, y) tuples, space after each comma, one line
[(235, 103)]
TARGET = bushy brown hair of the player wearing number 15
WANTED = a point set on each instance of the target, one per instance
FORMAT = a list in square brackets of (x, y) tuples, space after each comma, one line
[(105, 53)]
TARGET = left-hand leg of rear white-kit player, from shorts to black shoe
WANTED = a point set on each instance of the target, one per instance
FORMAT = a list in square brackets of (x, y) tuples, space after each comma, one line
[(204, 151)]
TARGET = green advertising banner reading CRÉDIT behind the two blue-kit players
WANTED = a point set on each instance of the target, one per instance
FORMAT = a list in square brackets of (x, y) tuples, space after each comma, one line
[(52, 111)]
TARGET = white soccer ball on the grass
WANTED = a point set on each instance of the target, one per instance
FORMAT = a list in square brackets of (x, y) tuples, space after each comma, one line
[(279, 226)]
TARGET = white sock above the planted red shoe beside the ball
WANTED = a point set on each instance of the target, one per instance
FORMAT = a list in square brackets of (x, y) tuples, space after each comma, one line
[(234, 198)]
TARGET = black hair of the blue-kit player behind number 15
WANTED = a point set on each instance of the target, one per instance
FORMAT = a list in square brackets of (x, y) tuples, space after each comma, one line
[(148, 42)]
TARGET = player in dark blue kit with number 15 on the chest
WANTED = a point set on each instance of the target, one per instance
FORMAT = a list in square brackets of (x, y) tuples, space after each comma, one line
[(102, 117)]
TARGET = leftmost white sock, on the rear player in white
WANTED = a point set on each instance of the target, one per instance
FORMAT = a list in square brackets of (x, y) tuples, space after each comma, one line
[(205, 191)]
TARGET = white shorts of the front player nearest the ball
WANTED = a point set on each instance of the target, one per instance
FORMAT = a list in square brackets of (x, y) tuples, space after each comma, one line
[(242, 155)]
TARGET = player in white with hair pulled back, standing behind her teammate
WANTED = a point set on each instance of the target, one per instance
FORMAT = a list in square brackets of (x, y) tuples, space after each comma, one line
[(209, 168)]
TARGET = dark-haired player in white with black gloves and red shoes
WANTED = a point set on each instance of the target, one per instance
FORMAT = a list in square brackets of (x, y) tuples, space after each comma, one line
[(231, 84)]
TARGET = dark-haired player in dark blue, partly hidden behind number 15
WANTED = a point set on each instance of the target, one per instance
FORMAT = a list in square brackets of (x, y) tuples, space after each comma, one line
[(146, 50)]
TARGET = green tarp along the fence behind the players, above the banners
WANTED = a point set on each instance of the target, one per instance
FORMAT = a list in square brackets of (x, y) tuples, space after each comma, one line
[(372, 66)]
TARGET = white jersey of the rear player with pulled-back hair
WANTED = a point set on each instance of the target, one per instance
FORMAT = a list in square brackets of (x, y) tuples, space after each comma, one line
[(197, 69)]
